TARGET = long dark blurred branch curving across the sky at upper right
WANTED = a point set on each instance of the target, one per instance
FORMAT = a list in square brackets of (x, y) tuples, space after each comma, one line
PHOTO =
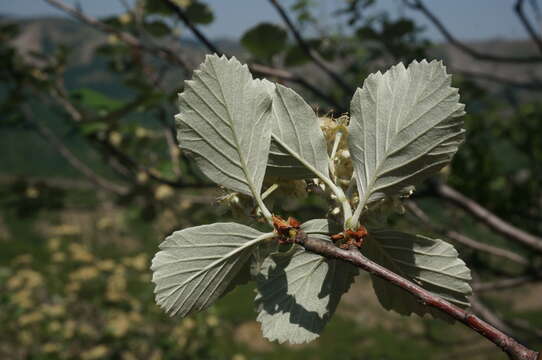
[(419, 6)]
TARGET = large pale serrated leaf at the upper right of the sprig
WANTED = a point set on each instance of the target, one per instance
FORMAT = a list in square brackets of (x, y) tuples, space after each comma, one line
[(403, 128)]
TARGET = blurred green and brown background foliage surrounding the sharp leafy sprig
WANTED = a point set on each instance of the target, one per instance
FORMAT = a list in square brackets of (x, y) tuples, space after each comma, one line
[(91, 180)]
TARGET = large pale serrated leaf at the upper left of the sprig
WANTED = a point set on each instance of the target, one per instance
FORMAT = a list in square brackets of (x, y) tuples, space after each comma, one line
[(225, 121)]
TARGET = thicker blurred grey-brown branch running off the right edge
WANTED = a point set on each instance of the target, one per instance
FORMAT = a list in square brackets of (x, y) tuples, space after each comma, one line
[(491, 220)]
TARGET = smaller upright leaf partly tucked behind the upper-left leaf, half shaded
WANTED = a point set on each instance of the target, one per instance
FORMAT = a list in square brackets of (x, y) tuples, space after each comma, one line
[(295, 127)]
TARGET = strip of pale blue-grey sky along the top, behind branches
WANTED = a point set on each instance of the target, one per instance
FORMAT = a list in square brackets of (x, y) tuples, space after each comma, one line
[(467, 19)]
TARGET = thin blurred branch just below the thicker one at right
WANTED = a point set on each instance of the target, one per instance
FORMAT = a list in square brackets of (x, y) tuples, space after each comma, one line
[(462, 239)]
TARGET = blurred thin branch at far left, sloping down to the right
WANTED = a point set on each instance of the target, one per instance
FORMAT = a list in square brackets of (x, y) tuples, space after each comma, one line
[(71, 158)]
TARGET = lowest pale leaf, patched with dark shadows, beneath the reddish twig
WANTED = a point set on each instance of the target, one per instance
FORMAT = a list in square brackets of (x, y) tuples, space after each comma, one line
[(298, 294)]
